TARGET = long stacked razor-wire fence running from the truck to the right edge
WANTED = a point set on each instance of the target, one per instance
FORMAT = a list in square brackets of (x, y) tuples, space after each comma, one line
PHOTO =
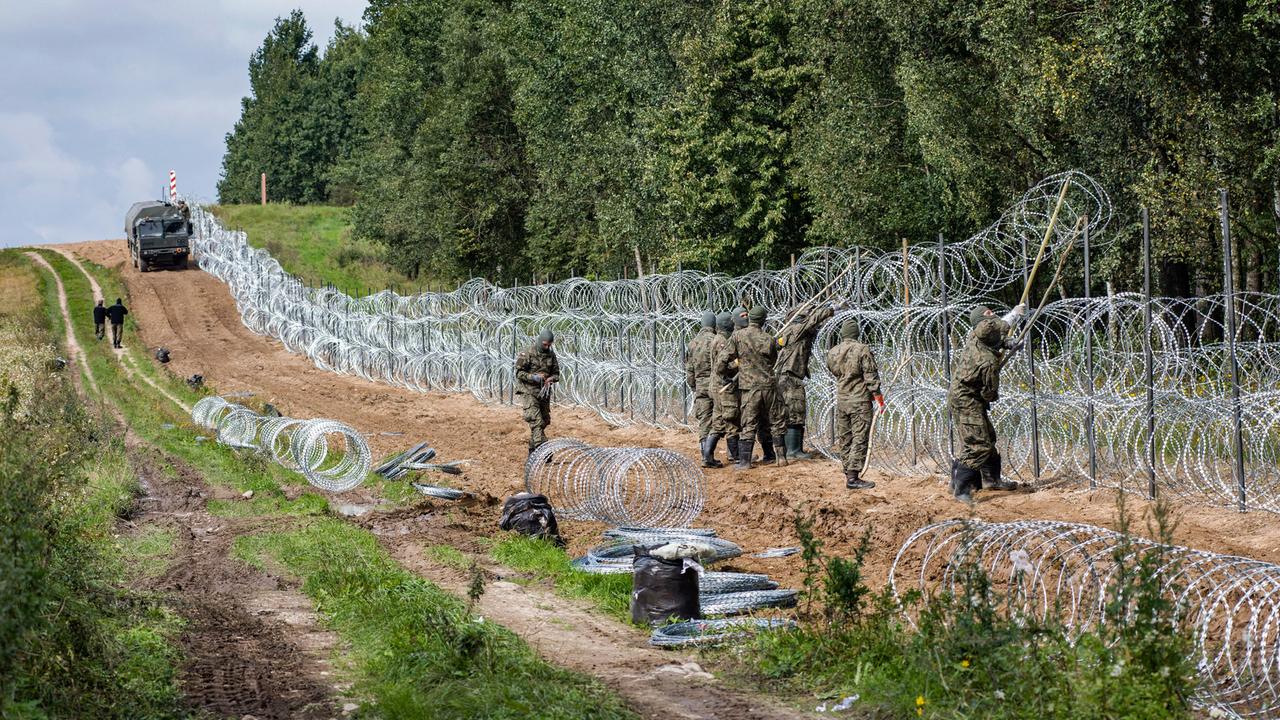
[(621, 347)]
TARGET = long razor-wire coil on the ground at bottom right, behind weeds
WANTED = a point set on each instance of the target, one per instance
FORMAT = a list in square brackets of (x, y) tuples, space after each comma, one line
[(1067, 572)]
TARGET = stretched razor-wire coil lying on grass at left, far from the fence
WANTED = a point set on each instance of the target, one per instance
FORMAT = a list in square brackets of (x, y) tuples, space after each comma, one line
[(304, 446)]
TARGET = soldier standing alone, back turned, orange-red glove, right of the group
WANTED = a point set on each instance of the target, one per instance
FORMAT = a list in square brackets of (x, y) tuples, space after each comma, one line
[(857, 385)]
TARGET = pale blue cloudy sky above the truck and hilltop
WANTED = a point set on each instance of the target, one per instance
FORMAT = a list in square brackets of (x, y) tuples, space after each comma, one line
[(99, 101)]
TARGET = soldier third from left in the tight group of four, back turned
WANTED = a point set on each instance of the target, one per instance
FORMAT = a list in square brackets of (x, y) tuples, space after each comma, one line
[(753, 353)]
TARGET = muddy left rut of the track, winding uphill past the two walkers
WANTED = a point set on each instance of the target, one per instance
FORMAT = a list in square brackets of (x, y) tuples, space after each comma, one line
[(253, 644)]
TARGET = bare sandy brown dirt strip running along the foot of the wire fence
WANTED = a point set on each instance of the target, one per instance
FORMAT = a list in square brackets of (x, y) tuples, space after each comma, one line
[(194, 316)]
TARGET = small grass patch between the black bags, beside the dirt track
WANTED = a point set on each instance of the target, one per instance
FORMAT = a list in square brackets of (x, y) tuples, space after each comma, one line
[(611, 594)]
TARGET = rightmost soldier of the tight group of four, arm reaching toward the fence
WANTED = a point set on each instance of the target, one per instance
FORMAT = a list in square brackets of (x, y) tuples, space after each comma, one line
[(796, 348)]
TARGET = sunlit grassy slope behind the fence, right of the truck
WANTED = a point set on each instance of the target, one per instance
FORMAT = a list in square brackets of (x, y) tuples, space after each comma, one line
[(316, 243)]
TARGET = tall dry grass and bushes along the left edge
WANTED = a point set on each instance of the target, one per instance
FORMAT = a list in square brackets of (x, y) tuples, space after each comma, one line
[(72, 642)]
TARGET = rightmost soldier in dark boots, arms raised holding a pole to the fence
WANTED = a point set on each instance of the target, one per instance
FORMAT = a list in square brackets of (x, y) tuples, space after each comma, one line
[(975, 386)]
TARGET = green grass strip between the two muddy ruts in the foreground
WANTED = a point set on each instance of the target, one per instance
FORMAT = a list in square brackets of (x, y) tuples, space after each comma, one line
[(418, 651)]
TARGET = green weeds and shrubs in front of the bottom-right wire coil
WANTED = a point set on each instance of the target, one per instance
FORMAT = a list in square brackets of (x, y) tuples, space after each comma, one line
[(975, 655)]
